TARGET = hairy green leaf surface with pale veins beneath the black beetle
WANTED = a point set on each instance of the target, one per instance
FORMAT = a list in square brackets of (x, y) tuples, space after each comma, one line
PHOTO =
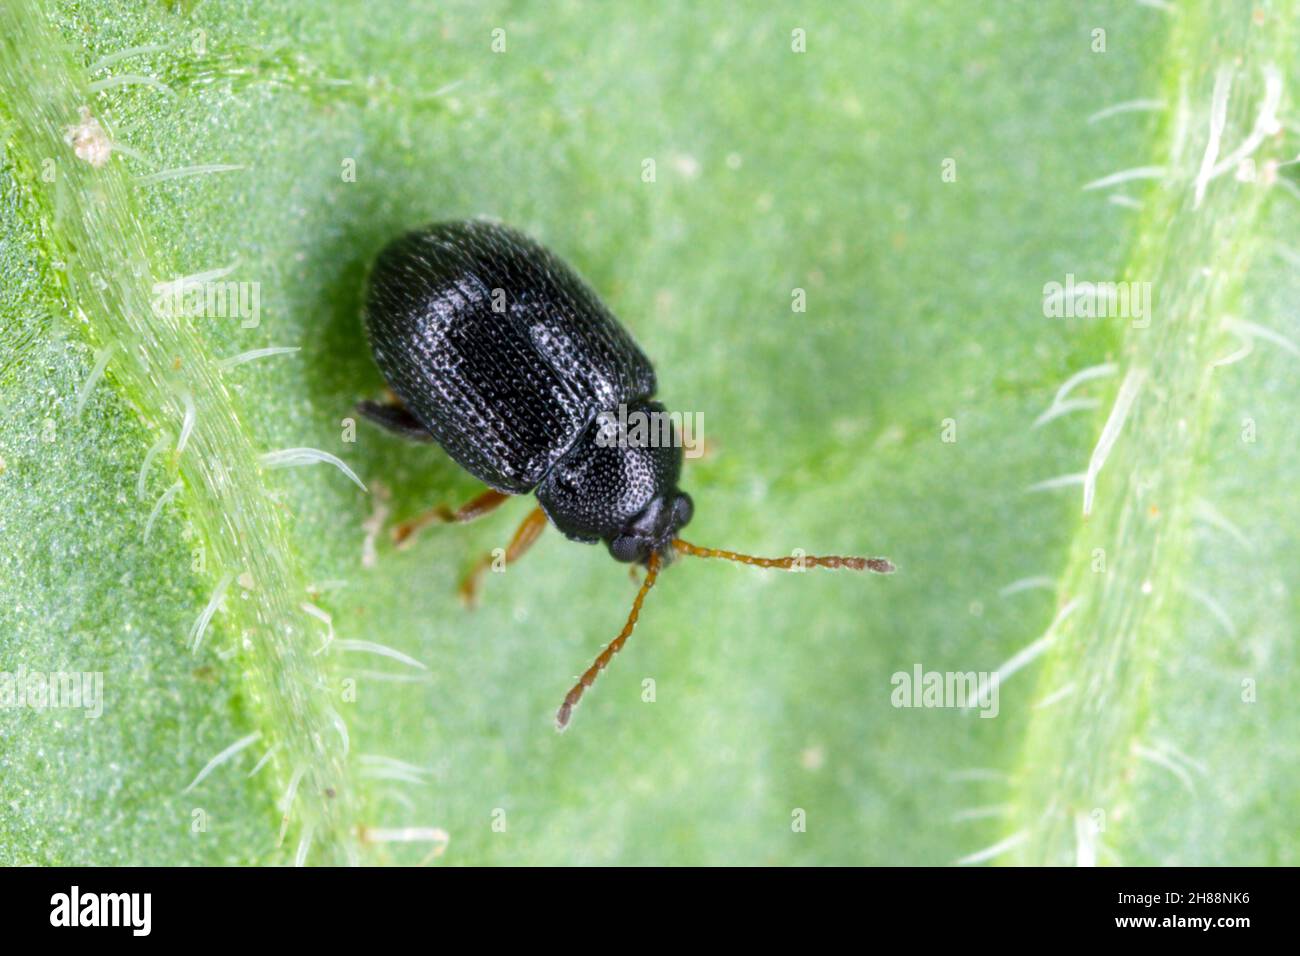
[(1146, 712)]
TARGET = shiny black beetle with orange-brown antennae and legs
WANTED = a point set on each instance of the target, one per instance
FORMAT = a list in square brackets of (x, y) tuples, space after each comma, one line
[(499, 352)]
